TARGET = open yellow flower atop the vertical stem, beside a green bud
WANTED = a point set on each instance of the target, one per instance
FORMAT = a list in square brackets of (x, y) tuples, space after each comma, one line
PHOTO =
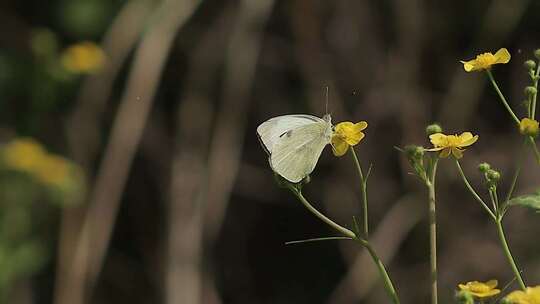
[(451, 143)]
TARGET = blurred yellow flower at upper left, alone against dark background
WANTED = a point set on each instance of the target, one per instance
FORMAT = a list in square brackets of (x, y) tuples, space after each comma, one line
[(83, 57)]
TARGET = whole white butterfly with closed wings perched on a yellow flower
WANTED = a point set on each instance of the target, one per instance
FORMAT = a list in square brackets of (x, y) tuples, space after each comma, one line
[(295, 143)]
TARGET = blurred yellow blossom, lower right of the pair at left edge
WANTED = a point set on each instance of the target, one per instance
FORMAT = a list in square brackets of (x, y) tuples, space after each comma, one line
[(53, 170)]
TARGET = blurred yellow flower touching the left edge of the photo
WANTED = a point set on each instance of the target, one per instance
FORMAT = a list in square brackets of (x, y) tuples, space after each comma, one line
[(23, 154)]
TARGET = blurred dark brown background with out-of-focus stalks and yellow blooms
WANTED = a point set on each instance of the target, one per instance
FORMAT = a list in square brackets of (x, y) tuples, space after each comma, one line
[(131, 172)]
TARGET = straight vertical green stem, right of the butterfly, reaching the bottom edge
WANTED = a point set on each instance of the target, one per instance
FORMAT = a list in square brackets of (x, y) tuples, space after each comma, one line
[(433, 232)]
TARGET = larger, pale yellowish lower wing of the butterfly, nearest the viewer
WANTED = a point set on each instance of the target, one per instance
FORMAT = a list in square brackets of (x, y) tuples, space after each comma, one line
[(296, 153)]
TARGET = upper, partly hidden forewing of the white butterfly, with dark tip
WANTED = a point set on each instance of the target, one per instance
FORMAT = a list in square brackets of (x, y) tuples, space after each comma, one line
[(272, 130)]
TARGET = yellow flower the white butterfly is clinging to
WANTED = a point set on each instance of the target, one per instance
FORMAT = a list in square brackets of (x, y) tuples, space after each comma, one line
[(347, 134)]
